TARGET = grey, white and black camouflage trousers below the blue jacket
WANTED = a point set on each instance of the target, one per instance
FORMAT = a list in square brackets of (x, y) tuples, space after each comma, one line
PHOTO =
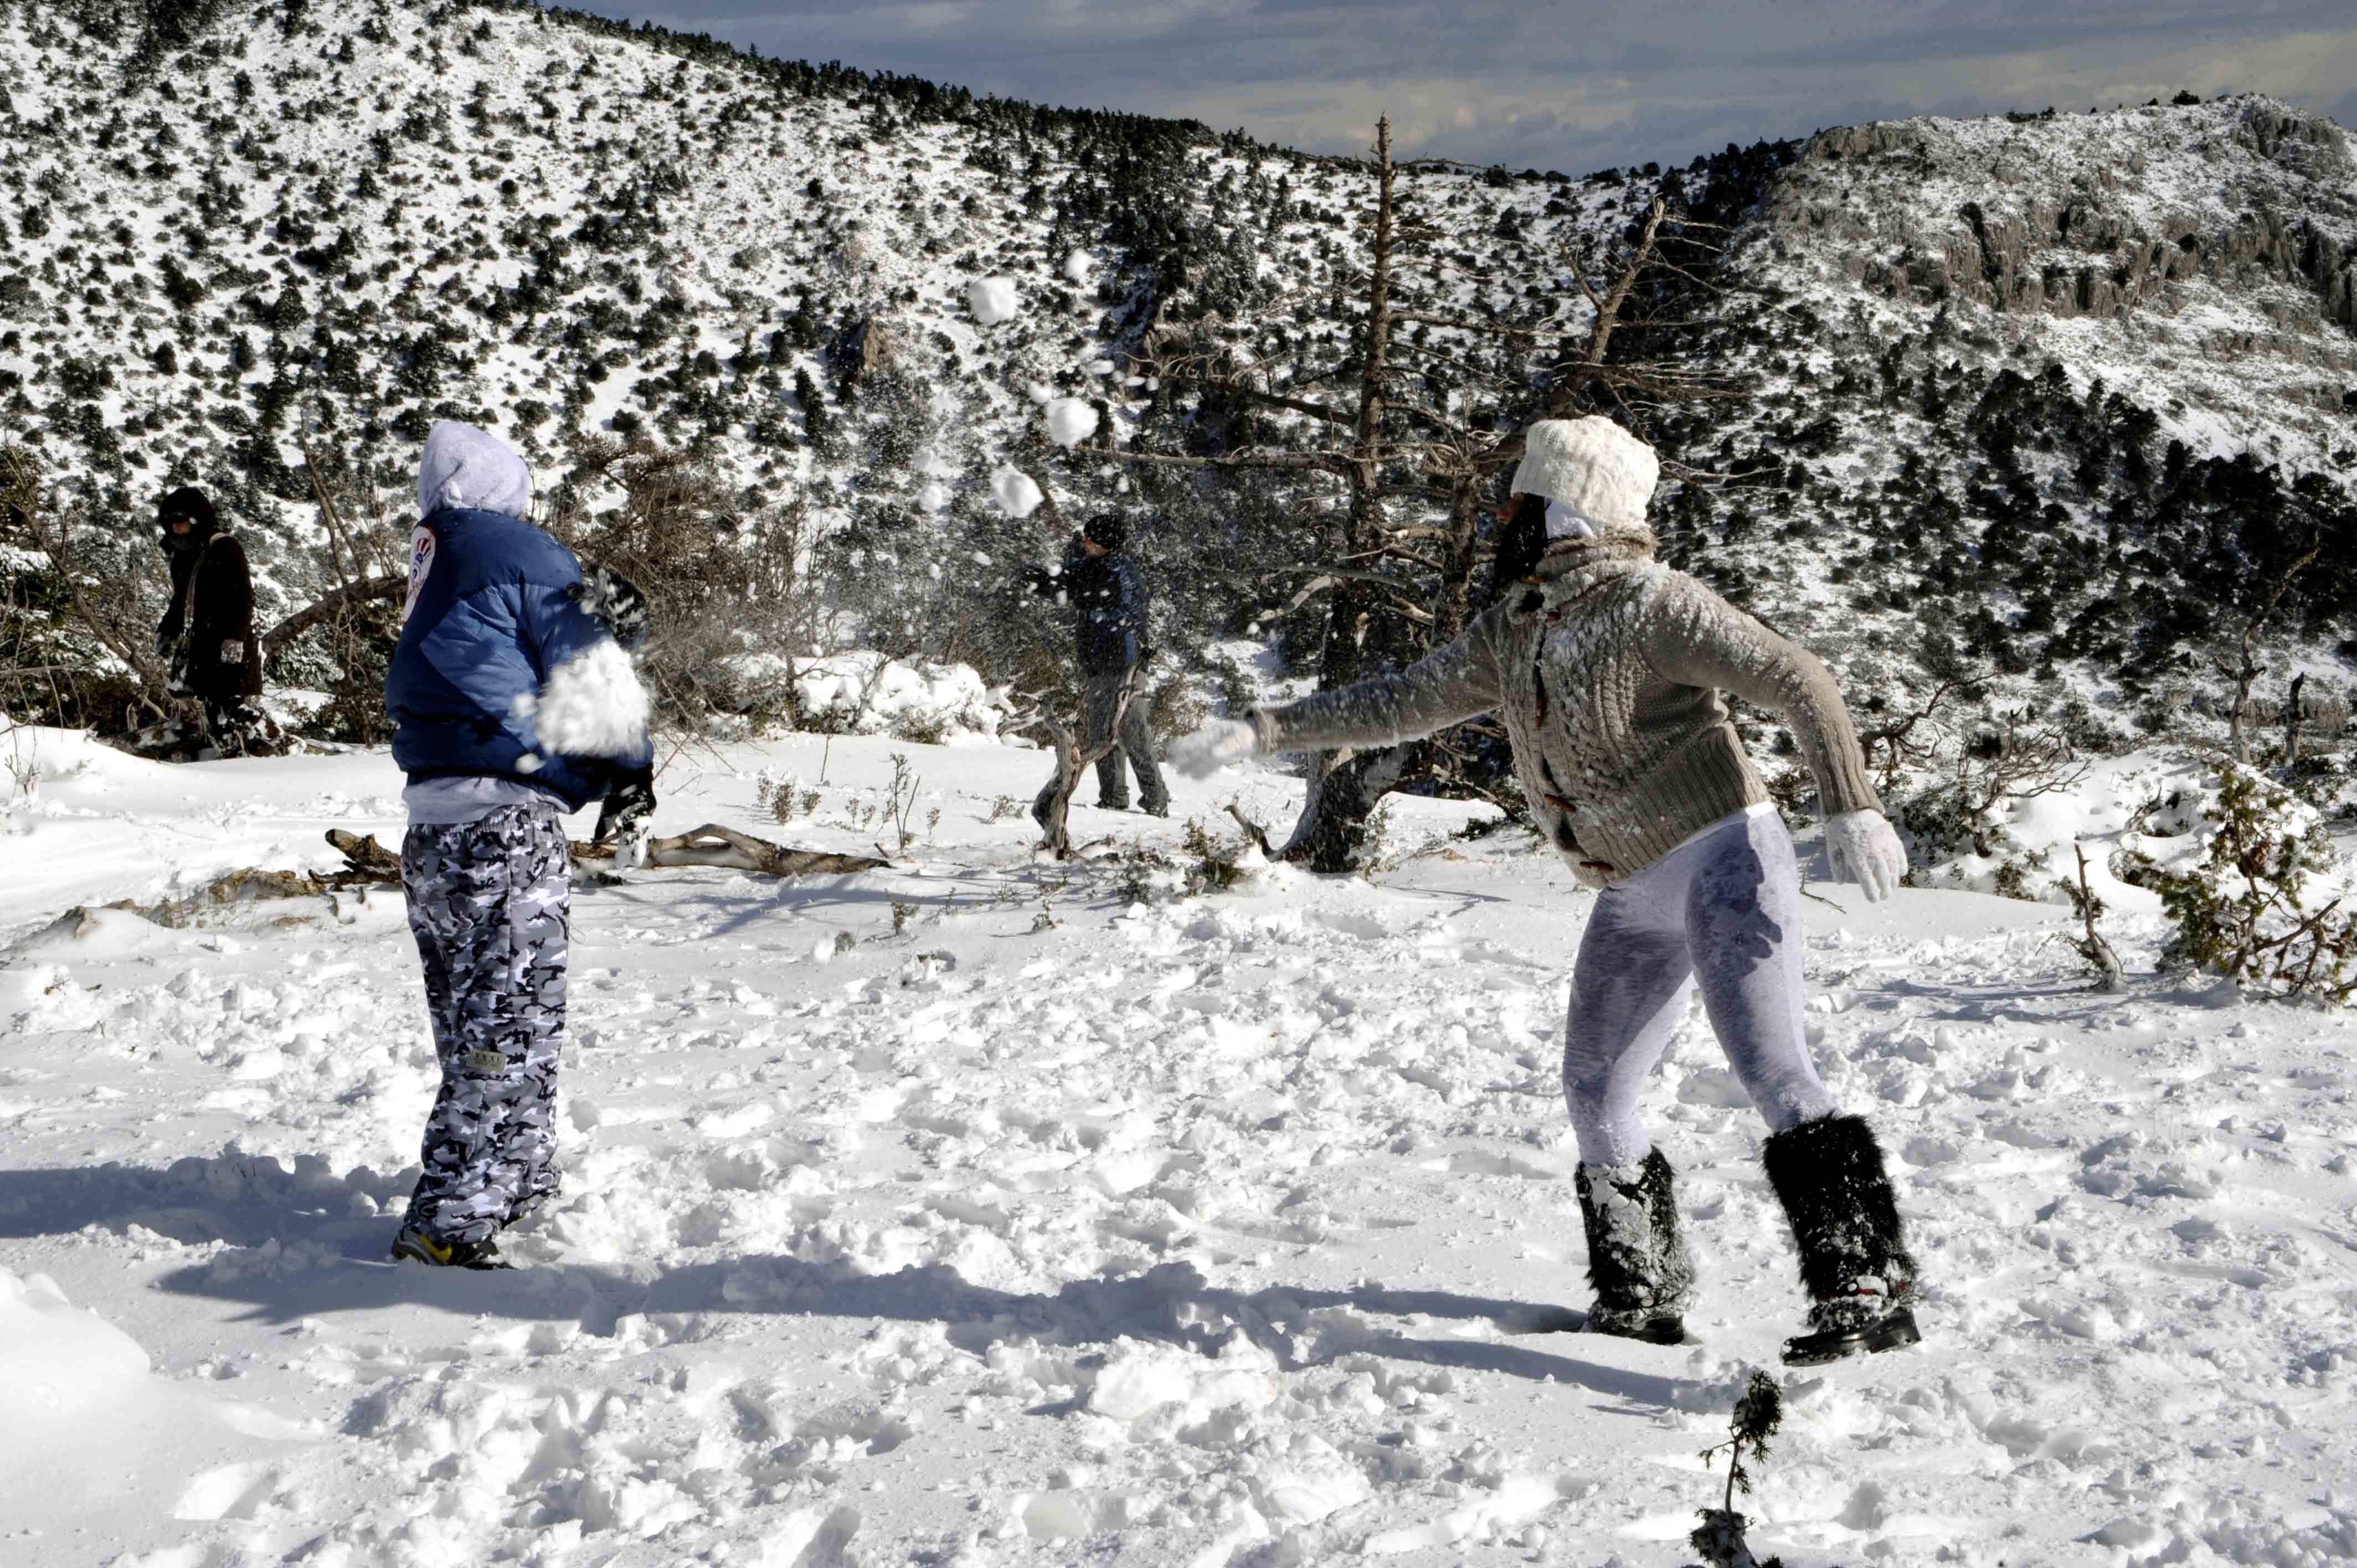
[(489, 907)]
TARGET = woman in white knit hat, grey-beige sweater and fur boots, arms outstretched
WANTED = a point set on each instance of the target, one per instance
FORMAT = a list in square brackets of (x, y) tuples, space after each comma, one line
[(1609, 673)]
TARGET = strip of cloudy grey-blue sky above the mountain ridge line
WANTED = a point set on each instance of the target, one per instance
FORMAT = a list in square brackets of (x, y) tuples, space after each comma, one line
[(1571, 84)]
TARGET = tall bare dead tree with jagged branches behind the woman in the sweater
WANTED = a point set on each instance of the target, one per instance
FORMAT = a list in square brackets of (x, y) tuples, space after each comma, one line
[(1415, 475)]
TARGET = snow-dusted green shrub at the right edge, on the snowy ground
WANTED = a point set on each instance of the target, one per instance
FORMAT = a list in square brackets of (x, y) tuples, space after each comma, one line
[(2252, 888)]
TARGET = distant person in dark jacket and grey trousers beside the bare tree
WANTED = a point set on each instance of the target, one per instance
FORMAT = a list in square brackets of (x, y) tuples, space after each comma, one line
[(1102, 584)]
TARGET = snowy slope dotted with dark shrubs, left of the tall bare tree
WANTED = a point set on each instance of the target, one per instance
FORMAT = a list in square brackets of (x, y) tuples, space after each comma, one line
[(850, 303)]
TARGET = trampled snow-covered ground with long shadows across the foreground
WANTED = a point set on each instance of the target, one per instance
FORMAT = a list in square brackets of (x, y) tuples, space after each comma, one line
[(972, 1213)]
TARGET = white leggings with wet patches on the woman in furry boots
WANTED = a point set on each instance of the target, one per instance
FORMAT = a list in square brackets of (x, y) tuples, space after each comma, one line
[(1722, 909)]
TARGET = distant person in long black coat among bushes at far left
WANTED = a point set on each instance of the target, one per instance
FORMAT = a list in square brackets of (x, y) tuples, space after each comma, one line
[(209, 633)]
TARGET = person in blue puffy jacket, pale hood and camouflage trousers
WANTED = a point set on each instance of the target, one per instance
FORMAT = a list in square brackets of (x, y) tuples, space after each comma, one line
[(513, 704)]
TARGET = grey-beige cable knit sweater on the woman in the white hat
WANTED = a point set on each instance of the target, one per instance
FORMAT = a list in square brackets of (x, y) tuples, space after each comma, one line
[(1606, 668)]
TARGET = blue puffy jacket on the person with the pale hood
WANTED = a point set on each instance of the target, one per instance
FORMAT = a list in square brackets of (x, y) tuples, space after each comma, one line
[(496, 610)]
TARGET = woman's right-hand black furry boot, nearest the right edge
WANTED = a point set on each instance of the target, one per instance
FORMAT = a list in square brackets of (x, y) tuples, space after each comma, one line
[(1847, 1225)]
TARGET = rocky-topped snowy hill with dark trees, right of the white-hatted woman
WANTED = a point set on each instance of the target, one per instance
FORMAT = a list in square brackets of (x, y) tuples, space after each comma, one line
[(2049, 397)]
